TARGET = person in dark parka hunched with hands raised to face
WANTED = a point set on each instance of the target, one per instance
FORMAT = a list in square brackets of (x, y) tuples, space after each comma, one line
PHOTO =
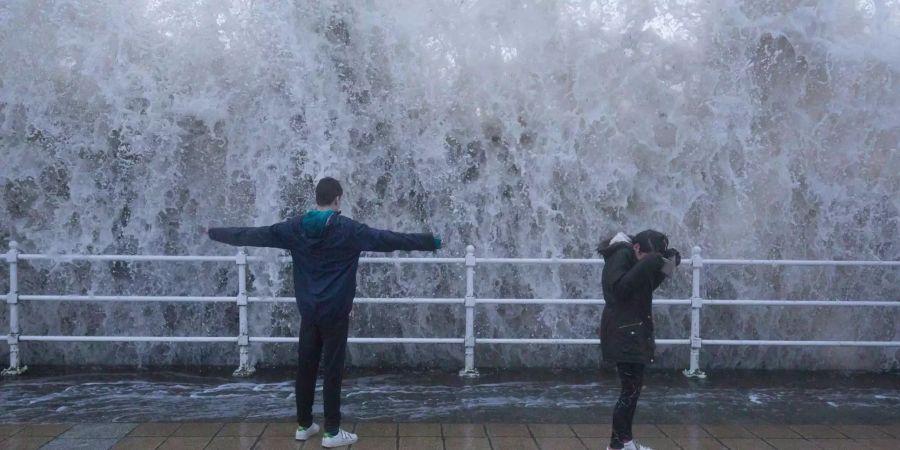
[(634, 268)]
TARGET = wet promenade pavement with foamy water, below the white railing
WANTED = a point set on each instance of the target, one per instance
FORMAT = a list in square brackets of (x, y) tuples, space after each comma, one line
[(425, 410)]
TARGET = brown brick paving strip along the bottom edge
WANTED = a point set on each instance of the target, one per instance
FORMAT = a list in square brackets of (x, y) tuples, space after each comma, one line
[(446, 436)]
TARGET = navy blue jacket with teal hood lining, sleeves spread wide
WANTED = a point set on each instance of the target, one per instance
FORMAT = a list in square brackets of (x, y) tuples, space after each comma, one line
[(325, 255)]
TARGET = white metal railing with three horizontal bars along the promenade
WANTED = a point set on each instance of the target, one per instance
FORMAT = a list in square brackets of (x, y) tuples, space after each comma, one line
[(469, 303)]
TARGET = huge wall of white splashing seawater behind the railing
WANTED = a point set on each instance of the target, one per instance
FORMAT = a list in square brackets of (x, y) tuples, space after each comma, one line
[(757, 129)]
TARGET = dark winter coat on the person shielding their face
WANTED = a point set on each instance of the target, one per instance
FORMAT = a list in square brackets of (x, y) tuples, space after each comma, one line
[(626, 327)]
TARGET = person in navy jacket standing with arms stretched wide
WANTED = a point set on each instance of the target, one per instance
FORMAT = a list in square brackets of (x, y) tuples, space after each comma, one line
[(325, 249)]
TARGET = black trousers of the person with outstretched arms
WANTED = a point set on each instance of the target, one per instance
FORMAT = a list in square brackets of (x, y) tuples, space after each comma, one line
[(317, 337)]
